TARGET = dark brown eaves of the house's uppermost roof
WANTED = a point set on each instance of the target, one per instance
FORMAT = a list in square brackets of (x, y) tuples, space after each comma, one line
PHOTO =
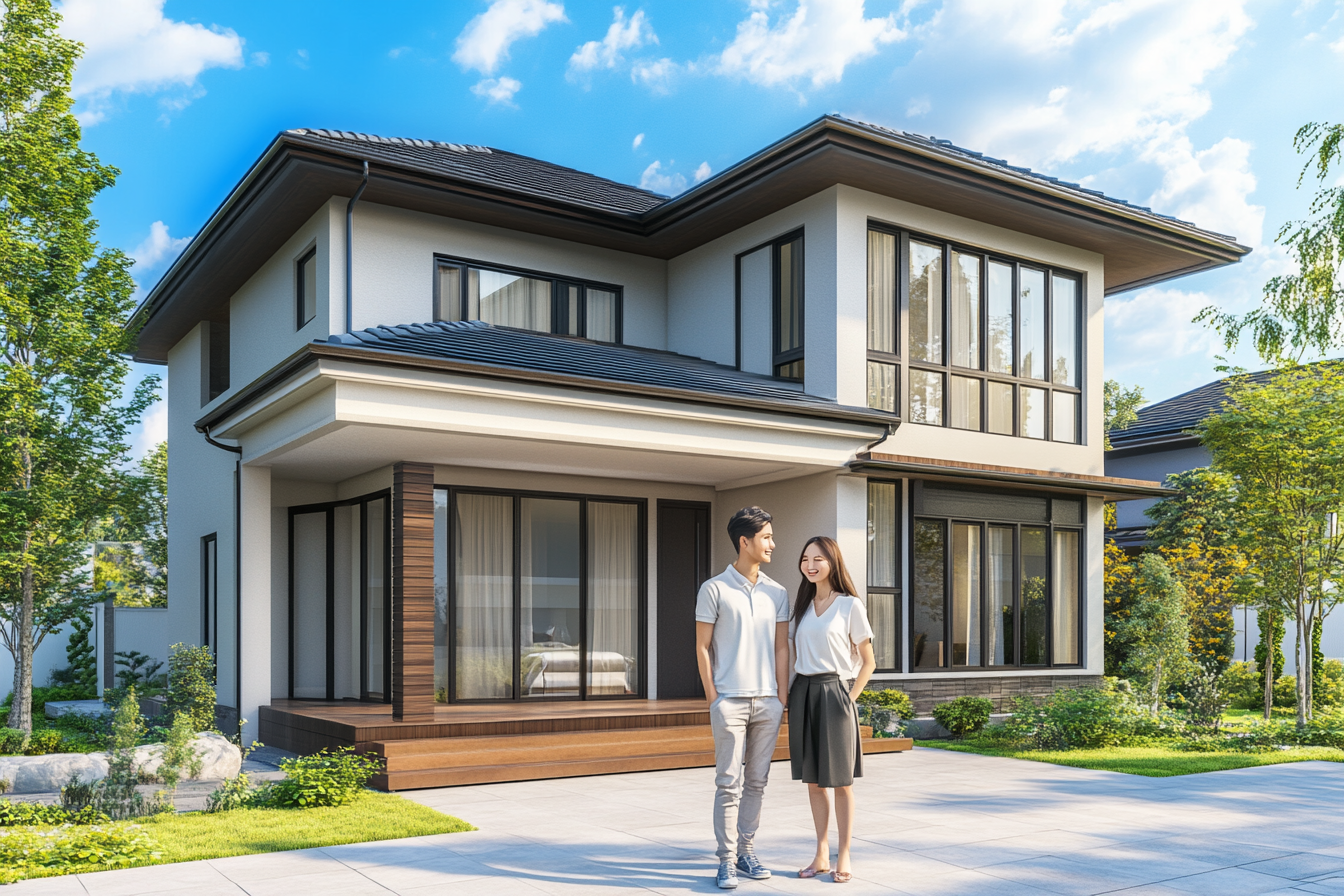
[(300, 173)]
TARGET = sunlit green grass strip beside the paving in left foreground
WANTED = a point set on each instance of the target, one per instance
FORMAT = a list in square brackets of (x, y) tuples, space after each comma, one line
[(372, 816)]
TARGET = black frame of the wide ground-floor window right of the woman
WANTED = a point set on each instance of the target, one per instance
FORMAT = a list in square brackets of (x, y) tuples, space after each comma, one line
[(917, 515)]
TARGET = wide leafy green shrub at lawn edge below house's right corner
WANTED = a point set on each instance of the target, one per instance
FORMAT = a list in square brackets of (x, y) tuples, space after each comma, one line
[(1083, 718)]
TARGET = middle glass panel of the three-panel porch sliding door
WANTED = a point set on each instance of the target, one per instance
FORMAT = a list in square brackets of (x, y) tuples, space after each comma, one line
[(550, 624)]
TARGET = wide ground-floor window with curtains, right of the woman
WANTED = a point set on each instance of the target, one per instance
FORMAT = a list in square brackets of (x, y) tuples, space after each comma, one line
[(998, 581)]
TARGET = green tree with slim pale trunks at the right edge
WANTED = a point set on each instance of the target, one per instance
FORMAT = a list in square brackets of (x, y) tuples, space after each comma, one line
[(1284, 444)]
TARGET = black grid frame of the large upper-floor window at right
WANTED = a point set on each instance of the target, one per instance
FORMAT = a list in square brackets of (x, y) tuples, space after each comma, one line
[(905, 363)]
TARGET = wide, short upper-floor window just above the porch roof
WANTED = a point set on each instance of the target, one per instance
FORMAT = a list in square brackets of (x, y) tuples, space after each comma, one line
[(526, 300)]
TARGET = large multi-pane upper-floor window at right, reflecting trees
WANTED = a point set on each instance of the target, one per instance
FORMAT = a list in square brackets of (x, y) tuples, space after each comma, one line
[(993, 345)]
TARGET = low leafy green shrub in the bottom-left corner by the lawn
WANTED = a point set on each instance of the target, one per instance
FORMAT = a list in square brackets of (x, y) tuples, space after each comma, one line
[(73, 848)]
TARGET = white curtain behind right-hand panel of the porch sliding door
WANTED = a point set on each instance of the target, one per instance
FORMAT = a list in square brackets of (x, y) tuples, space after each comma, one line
[(614, 597)]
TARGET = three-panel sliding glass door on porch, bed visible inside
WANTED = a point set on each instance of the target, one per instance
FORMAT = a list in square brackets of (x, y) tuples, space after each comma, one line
[(548, 597)]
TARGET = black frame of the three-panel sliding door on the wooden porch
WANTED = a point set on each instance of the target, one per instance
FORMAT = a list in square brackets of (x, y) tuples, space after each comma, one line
[(643, 612)]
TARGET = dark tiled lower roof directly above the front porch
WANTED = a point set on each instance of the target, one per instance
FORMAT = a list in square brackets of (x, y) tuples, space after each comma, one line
[(501, 353)]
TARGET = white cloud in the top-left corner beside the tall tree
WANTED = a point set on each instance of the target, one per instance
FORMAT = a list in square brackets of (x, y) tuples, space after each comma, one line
[(132, 48)]
